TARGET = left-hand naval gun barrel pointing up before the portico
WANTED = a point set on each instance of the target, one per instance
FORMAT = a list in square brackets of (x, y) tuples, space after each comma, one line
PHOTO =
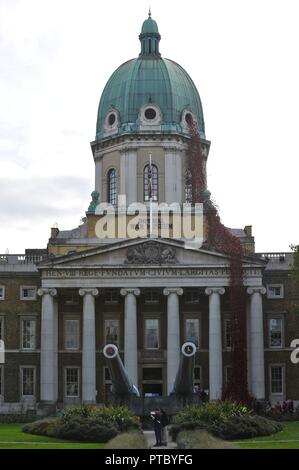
[(122, 385)]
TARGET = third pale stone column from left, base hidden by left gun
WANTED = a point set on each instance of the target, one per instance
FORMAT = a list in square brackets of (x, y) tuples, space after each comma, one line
[(130, 349)]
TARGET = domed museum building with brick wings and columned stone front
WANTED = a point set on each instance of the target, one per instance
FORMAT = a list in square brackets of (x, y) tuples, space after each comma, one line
[(148, 295)]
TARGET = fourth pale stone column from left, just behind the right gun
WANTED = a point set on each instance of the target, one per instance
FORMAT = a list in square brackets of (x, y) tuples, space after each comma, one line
[(173, 334)]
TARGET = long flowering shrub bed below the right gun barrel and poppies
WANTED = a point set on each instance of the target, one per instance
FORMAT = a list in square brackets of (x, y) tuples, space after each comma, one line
[(211, 412)]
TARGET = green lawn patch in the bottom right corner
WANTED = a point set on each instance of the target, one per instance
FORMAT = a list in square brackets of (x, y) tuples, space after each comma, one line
[(286, 439)]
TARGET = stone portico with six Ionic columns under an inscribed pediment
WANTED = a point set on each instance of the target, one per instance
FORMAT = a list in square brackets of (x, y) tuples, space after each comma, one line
[(89, 275)]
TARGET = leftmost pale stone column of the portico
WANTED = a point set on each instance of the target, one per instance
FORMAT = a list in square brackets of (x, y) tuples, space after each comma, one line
[(48, 354)]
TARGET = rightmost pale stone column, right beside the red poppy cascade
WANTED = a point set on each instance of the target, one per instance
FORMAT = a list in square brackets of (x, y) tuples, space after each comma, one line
[(257, 365)]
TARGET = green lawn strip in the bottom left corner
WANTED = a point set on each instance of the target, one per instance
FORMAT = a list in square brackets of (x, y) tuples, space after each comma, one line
[(12, 437)]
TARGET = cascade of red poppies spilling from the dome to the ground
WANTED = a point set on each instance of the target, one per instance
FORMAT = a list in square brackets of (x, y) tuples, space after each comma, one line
[(220, 238)]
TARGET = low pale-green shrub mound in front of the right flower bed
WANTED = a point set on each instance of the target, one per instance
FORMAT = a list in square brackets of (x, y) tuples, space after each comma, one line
[(201, 440)]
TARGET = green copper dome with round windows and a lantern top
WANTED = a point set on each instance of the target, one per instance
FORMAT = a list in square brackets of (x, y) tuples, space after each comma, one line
[(153, 82)]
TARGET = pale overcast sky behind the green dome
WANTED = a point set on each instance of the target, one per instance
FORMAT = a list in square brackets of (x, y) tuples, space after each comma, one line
[(55, 58)]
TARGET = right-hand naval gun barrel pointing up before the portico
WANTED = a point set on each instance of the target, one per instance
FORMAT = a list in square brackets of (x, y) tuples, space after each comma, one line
[(184, 382)]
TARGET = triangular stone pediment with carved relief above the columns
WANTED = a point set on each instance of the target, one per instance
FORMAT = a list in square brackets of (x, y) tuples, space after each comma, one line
[(140, 252)]
